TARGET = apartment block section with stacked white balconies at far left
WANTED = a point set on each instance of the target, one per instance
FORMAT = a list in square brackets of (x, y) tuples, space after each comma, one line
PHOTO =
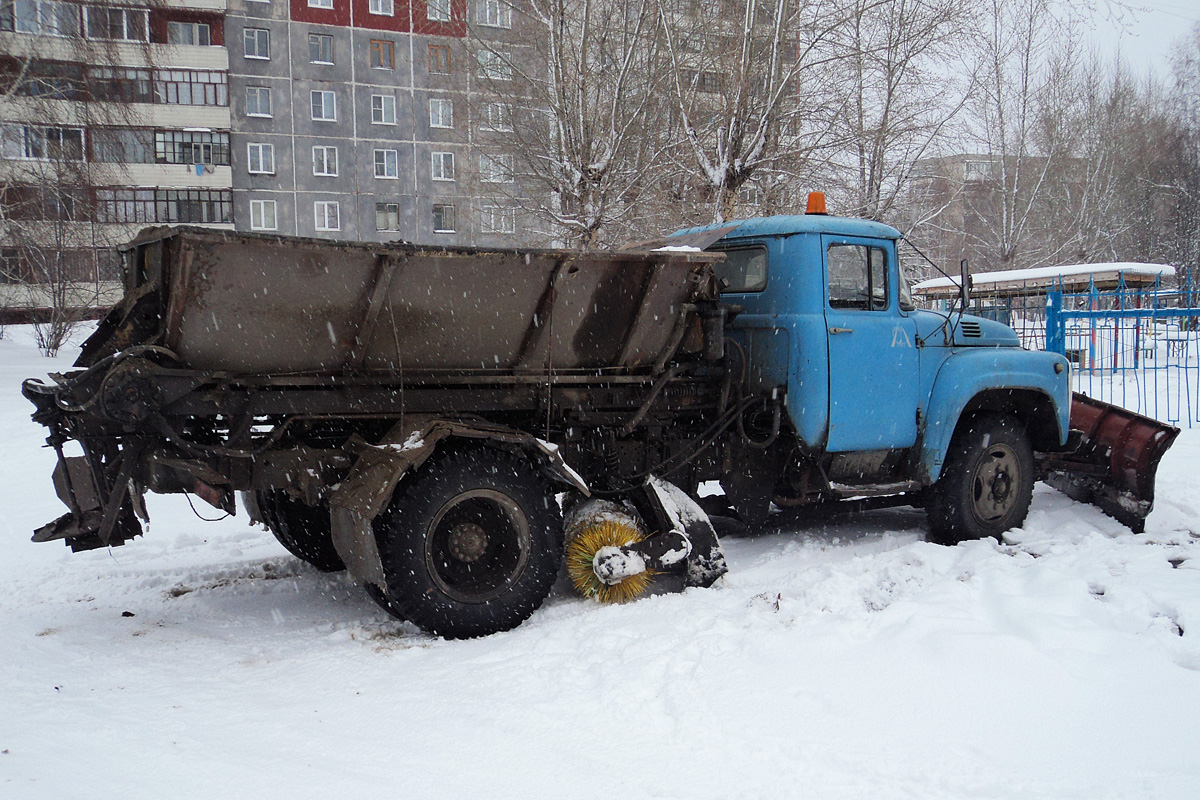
[(112, 118)]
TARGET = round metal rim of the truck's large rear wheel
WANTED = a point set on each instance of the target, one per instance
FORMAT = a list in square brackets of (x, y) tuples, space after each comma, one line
[(477, 546)]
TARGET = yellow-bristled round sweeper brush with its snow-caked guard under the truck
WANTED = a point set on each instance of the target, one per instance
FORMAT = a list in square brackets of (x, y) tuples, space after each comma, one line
[(611, 558)]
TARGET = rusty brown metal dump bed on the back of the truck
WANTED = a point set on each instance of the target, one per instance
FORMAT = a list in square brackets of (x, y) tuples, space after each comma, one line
[(253, 304)]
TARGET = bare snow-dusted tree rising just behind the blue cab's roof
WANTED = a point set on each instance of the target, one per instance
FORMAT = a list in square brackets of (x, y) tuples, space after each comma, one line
[(748, 80)]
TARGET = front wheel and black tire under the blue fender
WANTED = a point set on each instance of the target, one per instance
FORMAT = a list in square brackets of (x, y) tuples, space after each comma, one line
[(987, 483)]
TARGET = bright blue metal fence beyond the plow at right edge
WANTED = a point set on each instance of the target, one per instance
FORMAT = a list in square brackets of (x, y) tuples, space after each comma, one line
[(1136, 348)]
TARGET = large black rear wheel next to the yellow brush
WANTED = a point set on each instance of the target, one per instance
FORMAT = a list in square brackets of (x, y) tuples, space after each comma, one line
[(471, 545)]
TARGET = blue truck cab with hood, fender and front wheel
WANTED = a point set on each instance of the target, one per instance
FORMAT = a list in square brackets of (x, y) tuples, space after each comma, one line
[(881, 393)]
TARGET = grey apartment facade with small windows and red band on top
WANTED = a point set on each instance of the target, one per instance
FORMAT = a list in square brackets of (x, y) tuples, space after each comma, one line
[(369, 119)]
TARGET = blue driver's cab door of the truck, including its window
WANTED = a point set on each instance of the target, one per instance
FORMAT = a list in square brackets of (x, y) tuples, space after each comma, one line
[(873, 356)]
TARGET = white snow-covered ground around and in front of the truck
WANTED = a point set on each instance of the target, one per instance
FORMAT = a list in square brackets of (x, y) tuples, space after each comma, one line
[(837, 660)]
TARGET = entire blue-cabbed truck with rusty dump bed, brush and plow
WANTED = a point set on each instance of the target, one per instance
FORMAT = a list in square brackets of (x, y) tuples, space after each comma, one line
[(439, 422)]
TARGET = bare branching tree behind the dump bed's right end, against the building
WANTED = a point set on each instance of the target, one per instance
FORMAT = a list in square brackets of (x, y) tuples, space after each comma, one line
[(585, 136)]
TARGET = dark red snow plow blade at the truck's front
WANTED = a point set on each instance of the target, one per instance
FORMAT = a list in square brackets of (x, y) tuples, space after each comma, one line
[(1115, 464)]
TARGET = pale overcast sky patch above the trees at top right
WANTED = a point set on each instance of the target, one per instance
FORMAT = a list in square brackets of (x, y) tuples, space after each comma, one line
[(1150, 34)]
